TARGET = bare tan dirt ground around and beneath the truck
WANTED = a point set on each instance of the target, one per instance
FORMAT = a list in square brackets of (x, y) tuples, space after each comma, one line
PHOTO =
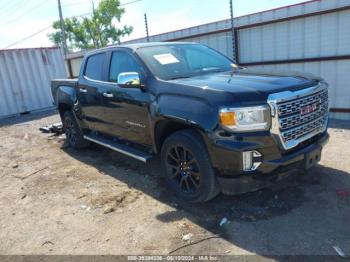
[(56, 200)]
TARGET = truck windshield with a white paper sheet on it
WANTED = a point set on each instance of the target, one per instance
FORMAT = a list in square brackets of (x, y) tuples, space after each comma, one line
[(183, 60)]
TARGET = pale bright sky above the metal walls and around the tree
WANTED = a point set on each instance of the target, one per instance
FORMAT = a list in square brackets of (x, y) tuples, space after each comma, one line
[(21, 19)]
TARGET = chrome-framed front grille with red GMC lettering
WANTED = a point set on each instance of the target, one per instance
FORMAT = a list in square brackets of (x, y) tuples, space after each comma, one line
[(300, 118)]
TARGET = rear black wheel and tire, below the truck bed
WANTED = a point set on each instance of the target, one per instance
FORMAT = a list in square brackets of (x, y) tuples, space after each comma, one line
[(74, 135)]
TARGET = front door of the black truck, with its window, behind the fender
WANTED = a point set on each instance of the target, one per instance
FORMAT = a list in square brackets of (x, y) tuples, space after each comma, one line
[(127, 109)]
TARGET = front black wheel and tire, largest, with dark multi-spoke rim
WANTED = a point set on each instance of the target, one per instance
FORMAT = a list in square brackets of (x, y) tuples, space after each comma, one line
[(187, 167)]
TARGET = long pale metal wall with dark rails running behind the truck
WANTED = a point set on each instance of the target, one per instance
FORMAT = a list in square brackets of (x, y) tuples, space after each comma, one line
[(314, 29)]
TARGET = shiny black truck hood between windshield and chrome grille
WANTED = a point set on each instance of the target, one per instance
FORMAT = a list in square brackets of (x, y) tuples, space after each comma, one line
[(250, 85)]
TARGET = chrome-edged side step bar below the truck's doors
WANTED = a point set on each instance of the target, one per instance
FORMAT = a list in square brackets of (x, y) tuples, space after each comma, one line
[(121, 148)]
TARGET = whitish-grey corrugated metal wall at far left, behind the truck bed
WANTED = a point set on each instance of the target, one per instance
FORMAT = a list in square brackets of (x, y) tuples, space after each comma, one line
[(25, 77)]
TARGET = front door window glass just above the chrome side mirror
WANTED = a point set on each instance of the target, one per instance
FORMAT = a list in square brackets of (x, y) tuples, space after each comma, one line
[(122, 62)]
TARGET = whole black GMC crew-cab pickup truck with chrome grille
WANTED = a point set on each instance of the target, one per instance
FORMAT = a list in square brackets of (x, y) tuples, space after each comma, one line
[(217, 126)]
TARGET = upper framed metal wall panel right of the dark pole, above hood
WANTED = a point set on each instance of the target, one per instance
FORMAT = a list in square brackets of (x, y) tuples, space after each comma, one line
[(315, 36)]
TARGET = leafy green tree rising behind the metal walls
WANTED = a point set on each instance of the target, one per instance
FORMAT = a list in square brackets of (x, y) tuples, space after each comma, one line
[(97, 31)]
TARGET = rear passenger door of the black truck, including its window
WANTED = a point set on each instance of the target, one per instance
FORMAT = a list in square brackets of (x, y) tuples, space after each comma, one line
[(90, 91)]
